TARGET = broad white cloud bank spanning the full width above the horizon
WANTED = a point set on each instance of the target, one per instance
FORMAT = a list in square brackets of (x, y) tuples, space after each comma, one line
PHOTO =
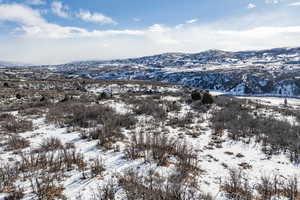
[(42, 42)]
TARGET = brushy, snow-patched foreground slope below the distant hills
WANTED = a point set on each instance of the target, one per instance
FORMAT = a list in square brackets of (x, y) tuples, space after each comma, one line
[(130, 140)]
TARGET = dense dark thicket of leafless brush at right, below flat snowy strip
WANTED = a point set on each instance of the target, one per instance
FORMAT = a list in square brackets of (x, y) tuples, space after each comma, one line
[(241, 124)]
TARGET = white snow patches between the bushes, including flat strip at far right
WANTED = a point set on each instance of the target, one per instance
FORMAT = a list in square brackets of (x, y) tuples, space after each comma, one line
[(215, 154)]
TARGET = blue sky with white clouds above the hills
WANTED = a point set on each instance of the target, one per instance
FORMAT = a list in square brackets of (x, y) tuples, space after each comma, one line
[(61, 31)]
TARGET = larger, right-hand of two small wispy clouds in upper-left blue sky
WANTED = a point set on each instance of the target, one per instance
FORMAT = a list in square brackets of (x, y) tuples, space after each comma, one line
[(95, 17)]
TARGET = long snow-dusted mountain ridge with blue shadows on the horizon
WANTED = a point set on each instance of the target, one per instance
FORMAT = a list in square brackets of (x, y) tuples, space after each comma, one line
[(263, 72)]
